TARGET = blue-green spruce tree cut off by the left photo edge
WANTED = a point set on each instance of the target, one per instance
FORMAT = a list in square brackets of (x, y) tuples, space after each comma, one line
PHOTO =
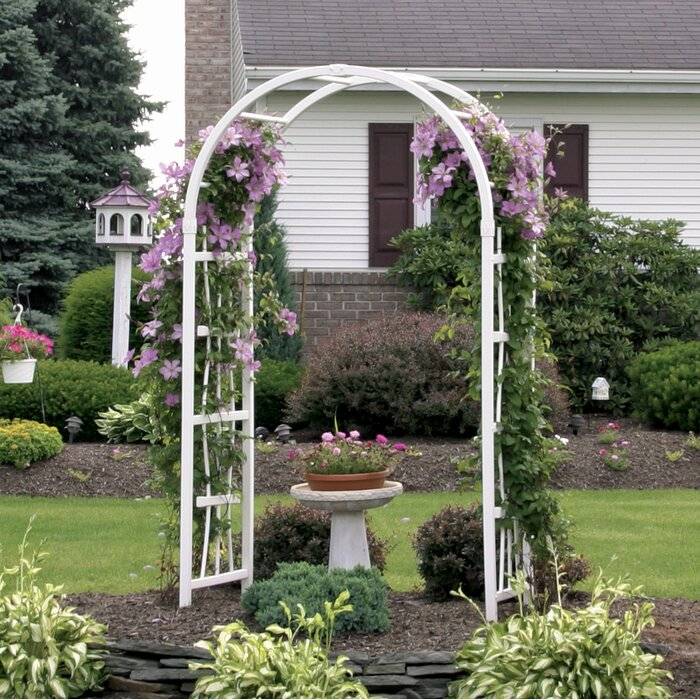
[(34, 169)]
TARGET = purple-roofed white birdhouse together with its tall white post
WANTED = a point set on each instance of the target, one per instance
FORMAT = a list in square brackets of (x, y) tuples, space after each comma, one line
[(122, 224)]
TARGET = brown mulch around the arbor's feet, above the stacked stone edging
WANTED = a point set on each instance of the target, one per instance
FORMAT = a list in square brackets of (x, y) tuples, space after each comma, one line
[(417, 625)]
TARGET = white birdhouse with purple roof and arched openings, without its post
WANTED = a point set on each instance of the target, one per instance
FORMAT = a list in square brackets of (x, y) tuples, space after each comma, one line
[(122, 221)]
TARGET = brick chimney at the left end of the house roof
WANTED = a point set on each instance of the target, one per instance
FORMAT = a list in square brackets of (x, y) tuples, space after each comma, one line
[(207, 62)]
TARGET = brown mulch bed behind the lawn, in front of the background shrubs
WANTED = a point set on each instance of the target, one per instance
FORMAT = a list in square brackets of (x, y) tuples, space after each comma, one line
[(105, 470)]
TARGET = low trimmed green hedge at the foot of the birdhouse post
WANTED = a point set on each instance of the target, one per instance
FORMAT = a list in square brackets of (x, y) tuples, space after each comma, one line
[(69, 387)]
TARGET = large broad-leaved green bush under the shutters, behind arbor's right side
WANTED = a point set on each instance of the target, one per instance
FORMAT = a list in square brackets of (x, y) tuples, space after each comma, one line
[(614, 284)]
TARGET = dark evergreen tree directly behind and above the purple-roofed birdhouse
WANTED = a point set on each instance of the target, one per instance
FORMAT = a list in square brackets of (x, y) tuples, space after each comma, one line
[(98, 75)]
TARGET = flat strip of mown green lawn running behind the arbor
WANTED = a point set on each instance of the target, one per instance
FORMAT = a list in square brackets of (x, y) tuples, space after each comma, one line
[(103, 544)]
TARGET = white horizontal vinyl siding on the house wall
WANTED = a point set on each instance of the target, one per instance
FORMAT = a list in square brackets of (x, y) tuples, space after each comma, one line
[(644, 161)]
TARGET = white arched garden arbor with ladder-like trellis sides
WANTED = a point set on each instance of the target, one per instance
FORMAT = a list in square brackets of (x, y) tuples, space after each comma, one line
[(333, 79)]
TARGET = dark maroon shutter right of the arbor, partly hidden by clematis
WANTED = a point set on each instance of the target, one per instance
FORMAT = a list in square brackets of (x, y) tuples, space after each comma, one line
[(572, 167)]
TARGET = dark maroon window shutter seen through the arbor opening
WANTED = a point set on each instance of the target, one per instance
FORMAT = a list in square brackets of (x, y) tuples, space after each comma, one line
[(391, 179)]
